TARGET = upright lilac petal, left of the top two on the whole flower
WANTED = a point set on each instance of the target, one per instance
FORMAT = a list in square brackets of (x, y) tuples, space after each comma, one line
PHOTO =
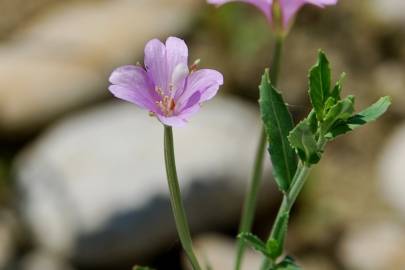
[(156, 63)]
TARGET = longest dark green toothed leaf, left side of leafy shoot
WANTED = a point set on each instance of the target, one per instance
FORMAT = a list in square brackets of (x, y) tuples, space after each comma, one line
[(278, 123)]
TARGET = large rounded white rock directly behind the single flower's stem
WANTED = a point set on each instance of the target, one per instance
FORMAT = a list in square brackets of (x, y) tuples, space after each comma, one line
[(94, 185)]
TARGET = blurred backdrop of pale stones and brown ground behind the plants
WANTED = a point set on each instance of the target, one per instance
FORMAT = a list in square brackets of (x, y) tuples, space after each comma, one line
[(82, 184)]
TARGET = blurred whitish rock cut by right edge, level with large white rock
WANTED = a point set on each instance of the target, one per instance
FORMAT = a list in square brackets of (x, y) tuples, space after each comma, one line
[(392, 171)]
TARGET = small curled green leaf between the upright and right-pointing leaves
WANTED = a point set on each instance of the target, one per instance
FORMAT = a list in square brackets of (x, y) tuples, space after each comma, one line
[(342, 110)]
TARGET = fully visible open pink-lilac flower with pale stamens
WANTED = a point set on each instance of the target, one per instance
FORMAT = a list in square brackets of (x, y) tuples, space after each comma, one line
[(167, 87)]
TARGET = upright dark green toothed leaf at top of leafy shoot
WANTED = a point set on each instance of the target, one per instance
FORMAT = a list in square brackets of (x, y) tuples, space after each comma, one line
[(319, 84)]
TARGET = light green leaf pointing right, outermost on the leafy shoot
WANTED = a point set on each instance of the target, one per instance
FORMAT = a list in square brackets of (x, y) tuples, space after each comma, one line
[(368, 115)]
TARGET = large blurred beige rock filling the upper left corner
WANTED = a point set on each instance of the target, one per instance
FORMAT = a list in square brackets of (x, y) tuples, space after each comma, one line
[(62, 59)]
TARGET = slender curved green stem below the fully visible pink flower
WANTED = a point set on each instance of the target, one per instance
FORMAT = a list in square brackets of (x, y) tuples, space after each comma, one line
[(175, 199)]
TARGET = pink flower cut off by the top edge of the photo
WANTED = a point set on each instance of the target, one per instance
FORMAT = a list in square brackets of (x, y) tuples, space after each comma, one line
[(288, 8)]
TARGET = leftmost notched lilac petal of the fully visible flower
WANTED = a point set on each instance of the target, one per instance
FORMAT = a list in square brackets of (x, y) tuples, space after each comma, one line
[(131, 83)]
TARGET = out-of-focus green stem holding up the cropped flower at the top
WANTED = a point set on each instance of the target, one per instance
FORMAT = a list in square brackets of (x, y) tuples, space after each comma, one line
[(250, 202)]
